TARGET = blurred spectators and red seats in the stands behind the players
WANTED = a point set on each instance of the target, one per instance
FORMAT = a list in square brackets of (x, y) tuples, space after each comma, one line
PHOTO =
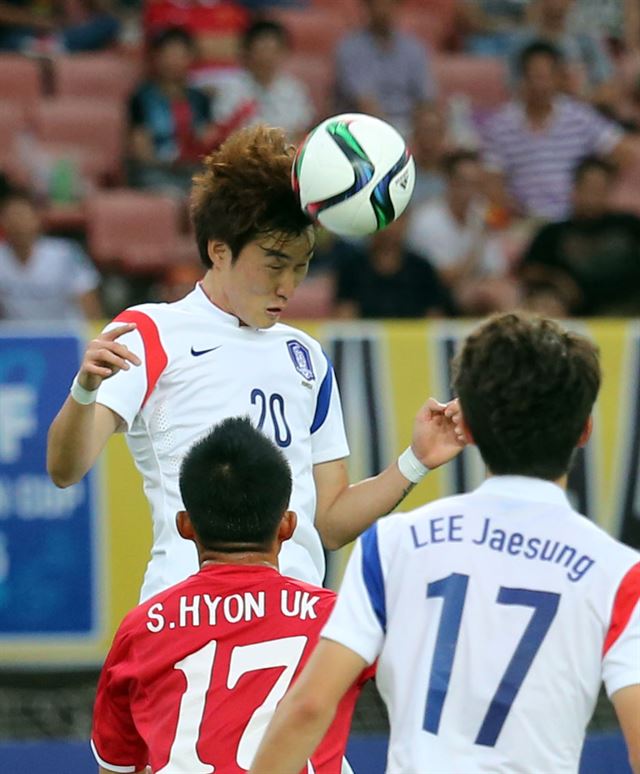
[(523, 117)]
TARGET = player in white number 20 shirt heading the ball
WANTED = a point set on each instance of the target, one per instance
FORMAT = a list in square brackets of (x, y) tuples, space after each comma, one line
[(165, 373)]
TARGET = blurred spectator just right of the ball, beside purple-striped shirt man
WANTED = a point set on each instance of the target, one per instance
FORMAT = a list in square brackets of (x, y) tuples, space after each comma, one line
[(428, 146)]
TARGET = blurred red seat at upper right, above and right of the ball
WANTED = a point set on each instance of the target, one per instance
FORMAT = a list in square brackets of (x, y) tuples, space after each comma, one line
[(482, 79)]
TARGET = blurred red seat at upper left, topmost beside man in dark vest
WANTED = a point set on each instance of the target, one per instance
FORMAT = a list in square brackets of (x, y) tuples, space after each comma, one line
[(95, 75)]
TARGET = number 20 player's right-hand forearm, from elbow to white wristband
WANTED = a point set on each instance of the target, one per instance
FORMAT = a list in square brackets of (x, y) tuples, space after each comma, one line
[(359, 505)]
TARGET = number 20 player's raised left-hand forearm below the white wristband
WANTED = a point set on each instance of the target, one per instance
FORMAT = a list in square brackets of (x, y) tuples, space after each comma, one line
[(70, 444)]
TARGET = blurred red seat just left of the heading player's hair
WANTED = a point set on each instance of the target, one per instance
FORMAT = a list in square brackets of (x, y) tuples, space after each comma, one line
[(136, 231)]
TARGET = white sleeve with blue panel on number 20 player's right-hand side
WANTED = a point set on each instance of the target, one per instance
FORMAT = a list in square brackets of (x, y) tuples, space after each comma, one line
[(328, 437)]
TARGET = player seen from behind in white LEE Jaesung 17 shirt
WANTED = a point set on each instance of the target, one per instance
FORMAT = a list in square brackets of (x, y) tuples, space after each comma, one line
[(494, 616)]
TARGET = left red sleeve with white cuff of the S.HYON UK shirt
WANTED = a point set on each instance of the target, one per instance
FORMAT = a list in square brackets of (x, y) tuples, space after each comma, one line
[(115, 741)]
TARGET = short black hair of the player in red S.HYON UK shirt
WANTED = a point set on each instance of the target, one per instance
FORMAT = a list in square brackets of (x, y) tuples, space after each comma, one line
[(235, 484)]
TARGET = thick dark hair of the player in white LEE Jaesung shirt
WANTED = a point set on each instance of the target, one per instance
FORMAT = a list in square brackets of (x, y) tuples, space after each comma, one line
[(526, 388)]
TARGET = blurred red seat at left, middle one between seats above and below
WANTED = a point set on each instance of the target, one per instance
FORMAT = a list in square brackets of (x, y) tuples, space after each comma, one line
[(93, 128)]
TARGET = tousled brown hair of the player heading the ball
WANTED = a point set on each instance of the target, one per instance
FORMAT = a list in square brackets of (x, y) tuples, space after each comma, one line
[(245, 191)]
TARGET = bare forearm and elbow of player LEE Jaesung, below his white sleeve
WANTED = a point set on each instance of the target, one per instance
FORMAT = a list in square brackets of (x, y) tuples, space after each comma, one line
[(295, 731)]
